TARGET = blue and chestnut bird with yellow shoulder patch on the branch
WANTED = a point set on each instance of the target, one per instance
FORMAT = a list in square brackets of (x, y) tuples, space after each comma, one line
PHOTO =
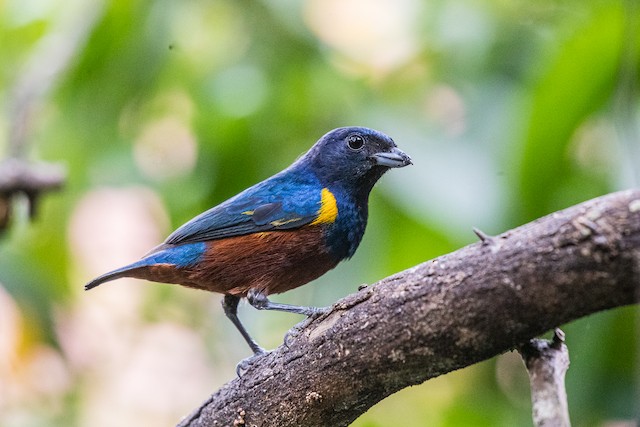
[(279, 234)]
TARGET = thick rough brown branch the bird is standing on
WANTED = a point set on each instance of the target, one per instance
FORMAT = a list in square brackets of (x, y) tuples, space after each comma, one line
[(442, 315)]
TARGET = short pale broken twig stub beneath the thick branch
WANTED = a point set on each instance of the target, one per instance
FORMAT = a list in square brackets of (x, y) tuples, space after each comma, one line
[(547, 363)]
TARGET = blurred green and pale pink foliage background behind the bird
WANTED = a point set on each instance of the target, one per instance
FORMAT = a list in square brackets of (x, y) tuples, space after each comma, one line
[(161, 109)]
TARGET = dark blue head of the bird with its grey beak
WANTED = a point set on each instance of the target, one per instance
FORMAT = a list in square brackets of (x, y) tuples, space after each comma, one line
[(354, 158)]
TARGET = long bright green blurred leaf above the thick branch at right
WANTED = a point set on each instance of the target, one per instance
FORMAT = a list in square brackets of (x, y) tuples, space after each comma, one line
[(578, 80)]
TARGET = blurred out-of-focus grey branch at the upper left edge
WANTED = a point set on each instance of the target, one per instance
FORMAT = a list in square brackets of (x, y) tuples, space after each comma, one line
[(51, 56)]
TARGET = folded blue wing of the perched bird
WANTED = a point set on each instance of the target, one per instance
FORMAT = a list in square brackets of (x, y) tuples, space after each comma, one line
[(258, 209)]
